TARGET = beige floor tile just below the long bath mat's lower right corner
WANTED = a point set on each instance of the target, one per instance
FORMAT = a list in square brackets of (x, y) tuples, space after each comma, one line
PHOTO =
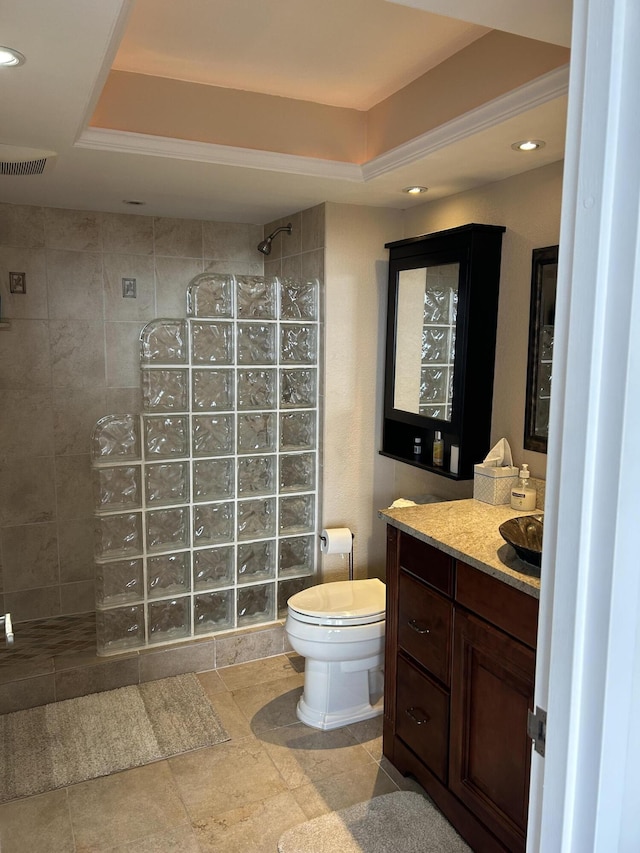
[(223, 777)]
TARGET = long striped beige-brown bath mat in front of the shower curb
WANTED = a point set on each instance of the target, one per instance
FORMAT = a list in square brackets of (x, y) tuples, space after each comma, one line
[(78, 739)]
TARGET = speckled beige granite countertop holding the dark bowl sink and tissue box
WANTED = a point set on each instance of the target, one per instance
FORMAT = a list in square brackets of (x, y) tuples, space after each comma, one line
[(468, 531)]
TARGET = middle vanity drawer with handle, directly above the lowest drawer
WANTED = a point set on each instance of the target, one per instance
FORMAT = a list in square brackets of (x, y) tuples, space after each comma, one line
[(424, 626)]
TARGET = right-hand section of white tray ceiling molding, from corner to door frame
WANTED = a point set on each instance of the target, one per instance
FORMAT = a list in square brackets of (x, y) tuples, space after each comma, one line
[(548, 87)]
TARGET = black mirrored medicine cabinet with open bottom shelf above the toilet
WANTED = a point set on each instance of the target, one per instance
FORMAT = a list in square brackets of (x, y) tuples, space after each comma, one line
[(440, 351)]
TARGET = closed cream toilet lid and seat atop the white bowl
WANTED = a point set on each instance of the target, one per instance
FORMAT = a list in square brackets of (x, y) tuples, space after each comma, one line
[(341, 602)]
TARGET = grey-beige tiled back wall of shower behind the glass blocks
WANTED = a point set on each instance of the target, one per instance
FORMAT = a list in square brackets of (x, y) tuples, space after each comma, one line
[(71, 356)]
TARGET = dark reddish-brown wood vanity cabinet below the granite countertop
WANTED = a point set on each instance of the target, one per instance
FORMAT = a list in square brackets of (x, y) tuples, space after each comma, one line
[(459, 681)]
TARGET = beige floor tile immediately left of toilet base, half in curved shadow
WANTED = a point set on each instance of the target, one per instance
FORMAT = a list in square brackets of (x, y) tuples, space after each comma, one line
[(271, 705)]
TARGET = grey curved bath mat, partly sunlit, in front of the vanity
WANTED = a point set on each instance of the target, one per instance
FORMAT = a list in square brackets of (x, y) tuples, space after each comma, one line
[(400, 821)]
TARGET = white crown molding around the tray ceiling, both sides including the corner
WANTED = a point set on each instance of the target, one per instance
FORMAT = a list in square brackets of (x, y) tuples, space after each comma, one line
[(543, 89)]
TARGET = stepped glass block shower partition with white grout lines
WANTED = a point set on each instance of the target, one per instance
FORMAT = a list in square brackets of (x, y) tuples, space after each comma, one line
[(206, 504)]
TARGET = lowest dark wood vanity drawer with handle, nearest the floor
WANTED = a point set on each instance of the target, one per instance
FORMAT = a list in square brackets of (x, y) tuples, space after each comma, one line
[(423, 717)]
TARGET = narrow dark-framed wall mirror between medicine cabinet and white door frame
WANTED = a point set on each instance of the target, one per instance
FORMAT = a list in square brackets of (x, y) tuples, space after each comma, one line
[(544, 274)]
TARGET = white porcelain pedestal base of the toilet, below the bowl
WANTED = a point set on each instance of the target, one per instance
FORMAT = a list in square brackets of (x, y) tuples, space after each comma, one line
[(336, 694)]
